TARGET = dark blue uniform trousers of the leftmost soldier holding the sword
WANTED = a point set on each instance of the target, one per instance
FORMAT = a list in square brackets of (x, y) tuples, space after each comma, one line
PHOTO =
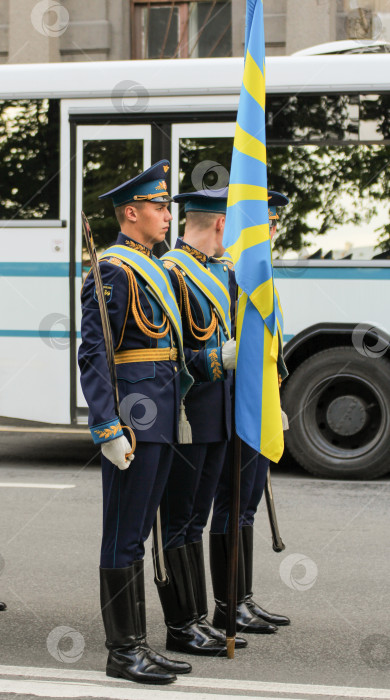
[(130, 501)]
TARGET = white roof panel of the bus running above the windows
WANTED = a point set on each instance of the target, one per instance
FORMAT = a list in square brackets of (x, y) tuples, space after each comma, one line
[(193, 76)]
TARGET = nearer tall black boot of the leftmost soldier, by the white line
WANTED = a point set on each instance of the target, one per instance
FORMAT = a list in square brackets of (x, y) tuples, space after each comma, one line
[(128, 656)]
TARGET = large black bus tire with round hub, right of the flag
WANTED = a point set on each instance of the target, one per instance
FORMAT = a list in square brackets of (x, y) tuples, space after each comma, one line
[(338, 405)]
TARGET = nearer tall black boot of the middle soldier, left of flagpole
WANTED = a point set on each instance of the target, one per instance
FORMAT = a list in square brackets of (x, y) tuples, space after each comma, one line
[(178, 603)]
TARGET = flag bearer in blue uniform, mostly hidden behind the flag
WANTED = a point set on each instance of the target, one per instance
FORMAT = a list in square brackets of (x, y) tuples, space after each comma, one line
[(251, 617)]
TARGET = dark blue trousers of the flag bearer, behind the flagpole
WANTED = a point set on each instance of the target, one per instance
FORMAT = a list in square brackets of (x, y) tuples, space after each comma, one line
[(254, 469)]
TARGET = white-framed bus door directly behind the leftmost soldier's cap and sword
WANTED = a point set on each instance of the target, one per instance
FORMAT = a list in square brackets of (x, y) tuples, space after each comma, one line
[(106, 156)]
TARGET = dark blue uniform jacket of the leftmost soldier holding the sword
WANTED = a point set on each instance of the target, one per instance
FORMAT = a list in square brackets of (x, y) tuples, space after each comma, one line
[(143, 385)]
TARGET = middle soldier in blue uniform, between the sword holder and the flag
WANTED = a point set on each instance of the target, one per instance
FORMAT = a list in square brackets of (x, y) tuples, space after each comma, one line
[(202, 287)]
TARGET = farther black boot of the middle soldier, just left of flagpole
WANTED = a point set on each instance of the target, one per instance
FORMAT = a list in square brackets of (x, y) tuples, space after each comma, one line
[(198, 576)]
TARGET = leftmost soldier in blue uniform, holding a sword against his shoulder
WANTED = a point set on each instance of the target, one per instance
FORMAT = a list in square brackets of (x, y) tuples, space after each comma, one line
[(152, 379)]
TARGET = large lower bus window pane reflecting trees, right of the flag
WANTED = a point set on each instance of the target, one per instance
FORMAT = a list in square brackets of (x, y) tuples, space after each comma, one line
[(338, 200)]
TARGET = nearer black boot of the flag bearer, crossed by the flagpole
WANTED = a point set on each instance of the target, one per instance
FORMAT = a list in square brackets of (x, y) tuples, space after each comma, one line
[(245, 621)]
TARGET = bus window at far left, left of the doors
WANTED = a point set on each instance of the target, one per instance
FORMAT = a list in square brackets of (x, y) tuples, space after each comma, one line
[(29, 159)]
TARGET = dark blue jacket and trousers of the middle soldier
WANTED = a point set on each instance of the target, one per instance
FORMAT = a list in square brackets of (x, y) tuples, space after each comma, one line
[(196, 468)]
